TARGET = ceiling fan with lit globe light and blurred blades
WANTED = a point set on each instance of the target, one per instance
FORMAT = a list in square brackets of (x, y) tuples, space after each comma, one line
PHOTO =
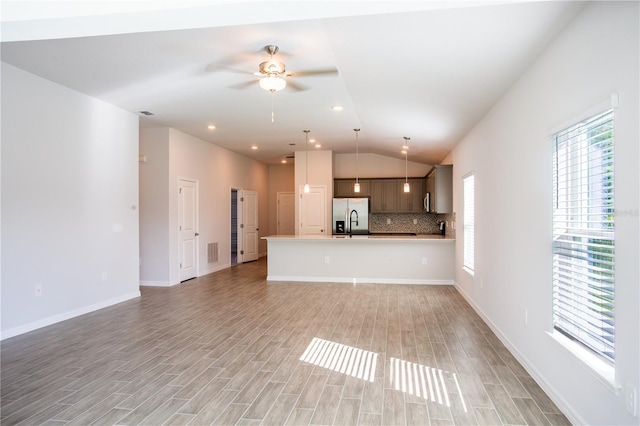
[(274, 76)]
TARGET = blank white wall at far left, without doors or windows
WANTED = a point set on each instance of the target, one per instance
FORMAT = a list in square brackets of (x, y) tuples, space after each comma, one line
[(69, 203)]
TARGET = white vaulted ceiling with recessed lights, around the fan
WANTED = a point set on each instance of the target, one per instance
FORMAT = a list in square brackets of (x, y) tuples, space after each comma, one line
[(423, 69)]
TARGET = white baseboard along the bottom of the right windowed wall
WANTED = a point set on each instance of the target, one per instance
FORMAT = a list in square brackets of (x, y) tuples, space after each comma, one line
[(562, 403)]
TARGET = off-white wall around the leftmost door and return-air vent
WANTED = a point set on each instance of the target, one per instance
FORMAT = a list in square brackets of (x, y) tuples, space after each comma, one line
[(217, 171)]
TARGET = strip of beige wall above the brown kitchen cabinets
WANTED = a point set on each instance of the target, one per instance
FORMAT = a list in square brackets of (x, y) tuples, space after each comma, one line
[(375, 166)]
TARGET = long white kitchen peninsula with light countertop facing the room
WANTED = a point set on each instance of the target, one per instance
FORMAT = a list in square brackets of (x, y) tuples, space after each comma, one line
[(420, 259)]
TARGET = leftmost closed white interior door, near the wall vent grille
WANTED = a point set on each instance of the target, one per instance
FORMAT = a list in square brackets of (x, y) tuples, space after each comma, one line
[(188, 228)]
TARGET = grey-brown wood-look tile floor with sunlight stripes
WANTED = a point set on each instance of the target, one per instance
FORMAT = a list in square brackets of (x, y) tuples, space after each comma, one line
[(226, 349)]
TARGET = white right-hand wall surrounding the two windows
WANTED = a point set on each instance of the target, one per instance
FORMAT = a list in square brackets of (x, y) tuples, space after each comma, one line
[(511, 155)]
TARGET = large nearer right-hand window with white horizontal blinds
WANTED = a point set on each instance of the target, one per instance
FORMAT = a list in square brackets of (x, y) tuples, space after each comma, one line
[(583, 234)]
